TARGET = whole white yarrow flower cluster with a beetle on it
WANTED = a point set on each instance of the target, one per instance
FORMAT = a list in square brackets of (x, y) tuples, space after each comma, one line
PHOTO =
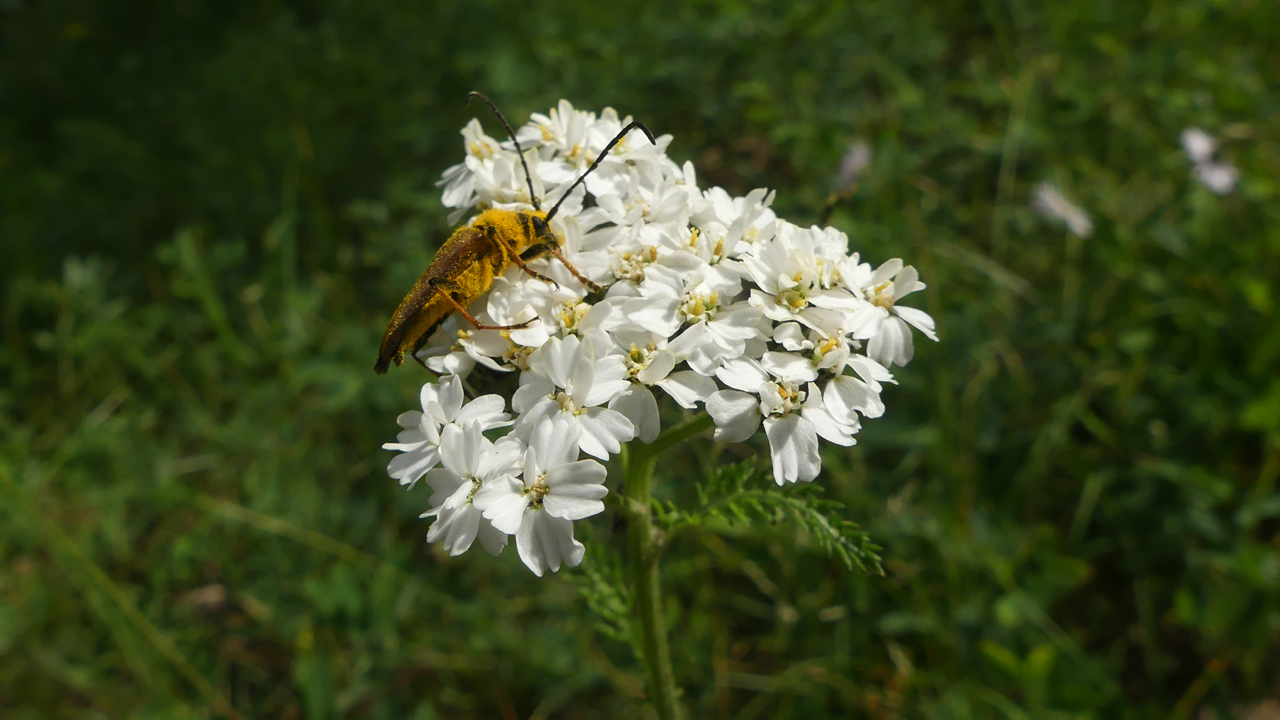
[(710, 300)]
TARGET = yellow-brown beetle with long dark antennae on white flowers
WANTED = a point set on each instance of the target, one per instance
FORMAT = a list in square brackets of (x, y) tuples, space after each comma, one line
[(476, 254)]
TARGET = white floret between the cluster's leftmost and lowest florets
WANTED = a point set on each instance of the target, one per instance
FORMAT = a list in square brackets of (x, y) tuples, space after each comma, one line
[(472, 463)]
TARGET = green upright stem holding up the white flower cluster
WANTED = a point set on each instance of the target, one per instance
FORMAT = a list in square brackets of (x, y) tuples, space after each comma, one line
[(638, 463)]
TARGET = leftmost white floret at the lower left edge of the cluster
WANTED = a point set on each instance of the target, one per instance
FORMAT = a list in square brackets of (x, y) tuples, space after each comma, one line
[(442, 407)]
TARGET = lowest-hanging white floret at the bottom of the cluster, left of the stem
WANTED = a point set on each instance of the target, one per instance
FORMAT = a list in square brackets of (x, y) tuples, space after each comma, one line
[(557, 489)]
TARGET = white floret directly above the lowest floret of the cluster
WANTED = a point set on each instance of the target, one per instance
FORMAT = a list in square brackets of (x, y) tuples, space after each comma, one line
[(565, 380)]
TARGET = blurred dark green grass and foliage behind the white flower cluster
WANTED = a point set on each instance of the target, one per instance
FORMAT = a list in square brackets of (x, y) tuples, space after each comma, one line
[(211, 209)]
